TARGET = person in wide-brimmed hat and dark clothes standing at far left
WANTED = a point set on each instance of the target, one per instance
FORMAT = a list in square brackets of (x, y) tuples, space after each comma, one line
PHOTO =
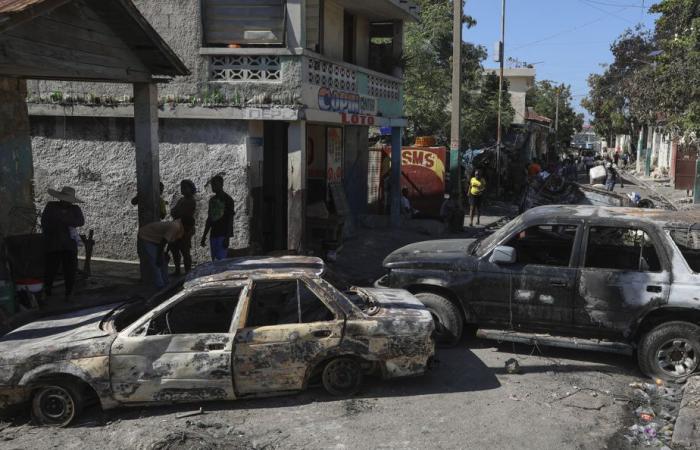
[(58, 225)]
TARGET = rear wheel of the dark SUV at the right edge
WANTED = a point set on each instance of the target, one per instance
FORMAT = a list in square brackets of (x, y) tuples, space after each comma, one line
[(670, 351)]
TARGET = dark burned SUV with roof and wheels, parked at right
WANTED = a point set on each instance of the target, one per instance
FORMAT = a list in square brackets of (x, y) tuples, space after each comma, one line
[(615, 279)]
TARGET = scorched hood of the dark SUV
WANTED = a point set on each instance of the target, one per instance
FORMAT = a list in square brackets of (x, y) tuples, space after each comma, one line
[(444, 251)]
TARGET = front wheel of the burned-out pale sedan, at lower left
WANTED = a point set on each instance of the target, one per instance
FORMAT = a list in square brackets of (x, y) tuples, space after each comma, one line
[(57, 404)]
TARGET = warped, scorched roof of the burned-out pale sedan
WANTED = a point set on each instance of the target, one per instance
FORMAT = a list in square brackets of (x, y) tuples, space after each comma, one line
[(237, 268)]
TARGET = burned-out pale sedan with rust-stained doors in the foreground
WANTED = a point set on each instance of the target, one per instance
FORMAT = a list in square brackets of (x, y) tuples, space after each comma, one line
[(234, 329)]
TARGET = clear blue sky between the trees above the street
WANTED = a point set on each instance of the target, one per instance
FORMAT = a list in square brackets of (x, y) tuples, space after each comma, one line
[(566, 40)]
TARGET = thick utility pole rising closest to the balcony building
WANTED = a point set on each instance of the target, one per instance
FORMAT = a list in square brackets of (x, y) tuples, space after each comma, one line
[(455, 163)]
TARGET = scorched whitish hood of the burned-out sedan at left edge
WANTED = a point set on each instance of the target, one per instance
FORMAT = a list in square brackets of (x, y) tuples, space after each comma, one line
[(72, 335)]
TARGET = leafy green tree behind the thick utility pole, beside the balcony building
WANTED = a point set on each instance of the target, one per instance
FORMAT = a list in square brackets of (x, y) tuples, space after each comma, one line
[(428, 80)]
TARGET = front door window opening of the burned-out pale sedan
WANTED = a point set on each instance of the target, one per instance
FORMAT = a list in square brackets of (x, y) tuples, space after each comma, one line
[(206, 311)]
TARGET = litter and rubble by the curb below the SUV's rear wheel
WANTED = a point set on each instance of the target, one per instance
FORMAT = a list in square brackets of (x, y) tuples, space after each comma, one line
[(655, 406)]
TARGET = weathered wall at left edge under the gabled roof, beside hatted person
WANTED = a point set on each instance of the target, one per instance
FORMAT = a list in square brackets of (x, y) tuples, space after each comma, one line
[(16, 193)]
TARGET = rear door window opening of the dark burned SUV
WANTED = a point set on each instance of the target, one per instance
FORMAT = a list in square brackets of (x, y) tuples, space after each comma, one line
[(621, 249)]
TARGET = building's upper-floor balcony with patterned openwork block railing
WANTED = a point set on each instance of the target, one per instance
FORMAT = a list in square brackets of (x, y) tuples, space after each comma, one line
[(318, 84)]
